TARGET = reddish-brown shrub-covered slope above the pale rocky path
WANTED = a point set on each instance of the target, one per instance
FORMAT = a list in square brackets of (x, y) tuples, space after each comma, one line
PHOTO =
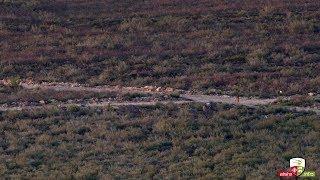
[(254, 47)]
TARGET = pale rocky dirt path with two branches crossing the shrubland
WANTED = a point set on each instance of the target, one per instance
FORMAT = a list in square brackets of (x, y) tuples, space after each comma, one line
[(188, 97)]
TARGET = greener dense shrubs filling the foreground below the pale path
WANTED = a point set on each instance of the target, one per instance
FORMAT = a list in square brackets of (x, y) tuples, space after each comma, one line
[(160, 141)]
